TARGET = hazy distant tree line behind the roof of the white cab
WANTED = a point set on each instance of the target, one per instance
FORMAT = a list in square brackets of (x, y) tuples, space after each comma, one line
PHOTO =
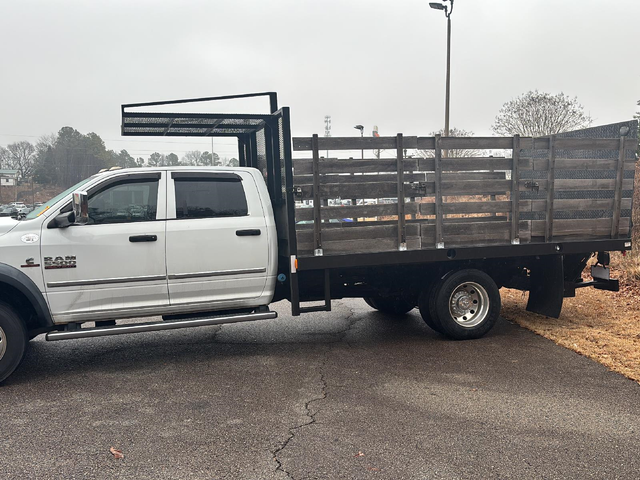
[(67, 157)]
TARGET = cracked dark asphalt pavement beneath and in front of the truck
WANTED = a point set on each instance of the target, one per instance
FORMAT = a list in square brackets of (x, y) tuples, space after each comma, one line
[(348, 394)]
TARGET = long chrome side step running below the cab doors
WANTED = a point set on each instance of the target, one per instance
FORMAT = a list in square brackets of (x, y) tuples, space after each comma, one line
[(156, 326)]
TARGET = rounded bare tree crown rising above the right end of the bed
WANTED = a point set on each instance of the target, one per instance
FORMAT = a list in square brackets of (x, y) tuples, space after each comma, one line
[(536, 114)]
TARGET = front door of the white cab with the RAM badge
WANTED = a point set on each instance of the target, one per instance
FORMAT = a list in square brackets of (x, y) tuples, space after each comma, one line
[(115, 264)]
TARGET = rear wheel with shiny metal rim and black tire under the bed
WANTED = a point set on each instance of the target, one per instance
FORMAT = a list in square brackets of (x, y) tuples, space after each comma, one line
[(466, 304)]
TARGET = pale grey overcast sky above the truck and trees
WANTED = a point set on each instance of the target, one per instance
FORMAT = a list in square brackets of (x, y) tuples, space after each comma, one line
[(373, 62)]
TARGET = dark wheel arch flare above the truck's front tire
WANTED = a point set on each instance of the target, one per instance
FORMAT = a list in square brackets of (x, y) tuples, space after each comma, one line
[(20, 292)]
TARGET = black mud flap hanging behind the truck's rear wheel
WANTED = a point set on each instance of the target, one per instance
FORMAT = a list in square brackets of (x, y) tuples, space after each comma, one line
[(547, 286)]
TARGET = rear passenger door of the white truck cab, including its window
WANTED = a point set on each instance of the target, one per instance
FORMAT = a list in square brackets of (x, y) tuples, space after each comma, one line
[(217, 240)]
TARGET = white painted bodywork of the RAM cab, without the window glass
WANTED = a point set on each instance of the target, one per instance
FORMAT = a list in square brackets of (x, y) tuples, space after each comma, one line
[(95, 272)]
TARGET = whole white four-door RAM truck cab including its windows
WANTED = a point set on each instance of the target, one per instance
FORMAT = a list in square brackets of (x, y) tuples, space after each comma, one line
[(155, 241)]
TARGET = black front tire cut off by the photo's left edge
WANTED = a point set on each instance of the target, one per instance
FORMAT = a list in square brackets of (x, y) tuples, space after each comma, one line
[(13, 340)]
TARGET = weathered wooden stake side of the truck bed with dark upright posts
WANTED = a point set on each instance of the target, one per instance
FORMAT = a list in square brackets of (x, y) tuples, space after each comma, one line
[(544, 190)]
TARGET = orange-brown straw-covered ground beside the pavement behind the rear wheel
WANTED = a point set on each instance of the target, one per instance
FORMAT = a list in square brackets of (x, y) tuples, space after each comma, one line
[(604, 326)]
